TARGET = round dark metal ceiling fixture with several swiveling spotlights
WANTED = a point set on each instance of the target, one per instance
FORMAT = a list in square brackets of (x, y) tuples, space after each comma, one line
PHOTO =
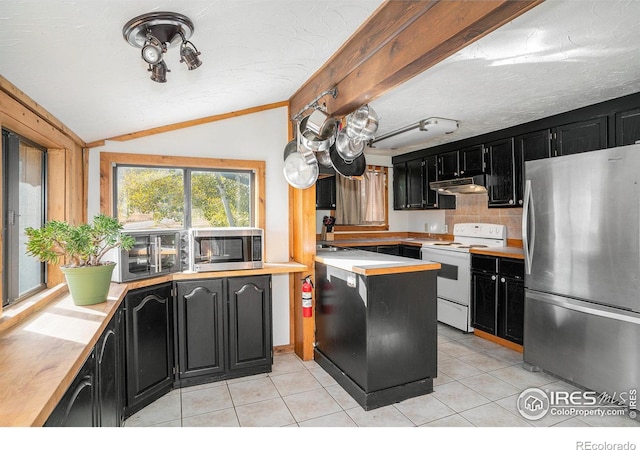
[(154, 33)]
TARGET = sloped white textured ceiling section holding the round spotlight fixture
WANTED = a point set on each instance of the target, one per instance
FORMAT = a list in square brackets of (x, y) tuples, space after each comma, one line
[(71, 58)]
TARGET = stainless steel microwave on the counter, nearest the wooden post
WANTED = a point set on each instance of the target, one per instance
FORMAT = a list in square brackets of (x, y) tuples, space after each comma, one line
[(212, 249)]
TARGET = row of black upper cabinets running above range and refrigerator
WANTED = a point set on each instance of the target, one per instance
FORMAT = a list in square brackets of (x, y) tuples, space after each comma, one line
[(607, 124)]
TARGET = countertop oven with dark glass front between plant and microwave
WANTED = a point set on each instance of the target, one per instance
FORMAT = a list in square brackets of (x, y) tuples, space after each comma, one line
[(155, 253)]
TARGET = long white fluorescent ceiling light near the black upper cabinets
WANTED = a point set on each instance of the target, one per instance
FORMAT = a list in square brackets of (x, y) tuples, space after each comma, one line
[(415, 133)]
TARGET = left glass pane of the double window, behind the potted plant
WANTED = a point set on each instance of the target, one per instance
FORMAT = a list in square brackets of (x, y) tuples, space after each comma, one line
[(150, 197)]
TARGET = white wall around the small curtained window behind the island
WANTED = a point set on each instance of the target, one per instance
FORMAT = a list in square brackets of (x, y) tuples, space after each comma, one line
[(399, 220)]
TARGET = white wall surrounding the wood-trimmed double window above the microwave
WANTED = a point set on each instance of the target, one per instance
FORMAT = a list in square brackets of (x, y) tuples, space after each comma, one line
[(260, 136)]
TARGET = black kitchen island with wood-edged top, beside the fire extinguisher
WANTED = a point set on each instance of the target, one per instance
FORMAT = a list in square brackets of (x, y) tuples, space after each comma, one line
[(376, 324)]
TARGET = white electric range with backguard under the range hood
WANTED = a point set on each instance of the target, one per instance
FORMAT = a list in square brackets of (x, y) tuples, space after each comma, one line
[(454, 278)]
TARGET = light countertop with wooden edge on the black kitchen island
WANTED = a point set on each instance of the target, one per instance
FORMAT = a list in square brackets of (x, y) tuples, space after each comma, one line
[(369, 263)]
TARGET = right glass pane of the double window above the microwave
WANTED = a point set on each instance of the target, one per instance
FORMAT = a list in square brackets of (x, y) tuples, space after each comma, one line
[(220, 199)]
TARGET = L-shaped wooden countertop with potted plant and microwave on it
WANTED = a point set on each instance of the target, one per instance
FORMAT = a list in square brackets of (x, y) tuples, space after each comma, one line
[(41, 354)]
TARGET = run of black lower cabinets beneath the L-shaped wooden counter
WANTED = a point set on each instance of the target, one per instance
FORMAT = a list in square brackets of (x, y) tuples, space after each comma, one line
[(213, 329)]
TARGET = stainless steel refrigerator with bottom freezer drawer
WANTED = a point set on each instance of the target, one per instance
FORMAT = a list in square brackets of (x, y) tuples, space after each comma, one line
[(581, 238)]
